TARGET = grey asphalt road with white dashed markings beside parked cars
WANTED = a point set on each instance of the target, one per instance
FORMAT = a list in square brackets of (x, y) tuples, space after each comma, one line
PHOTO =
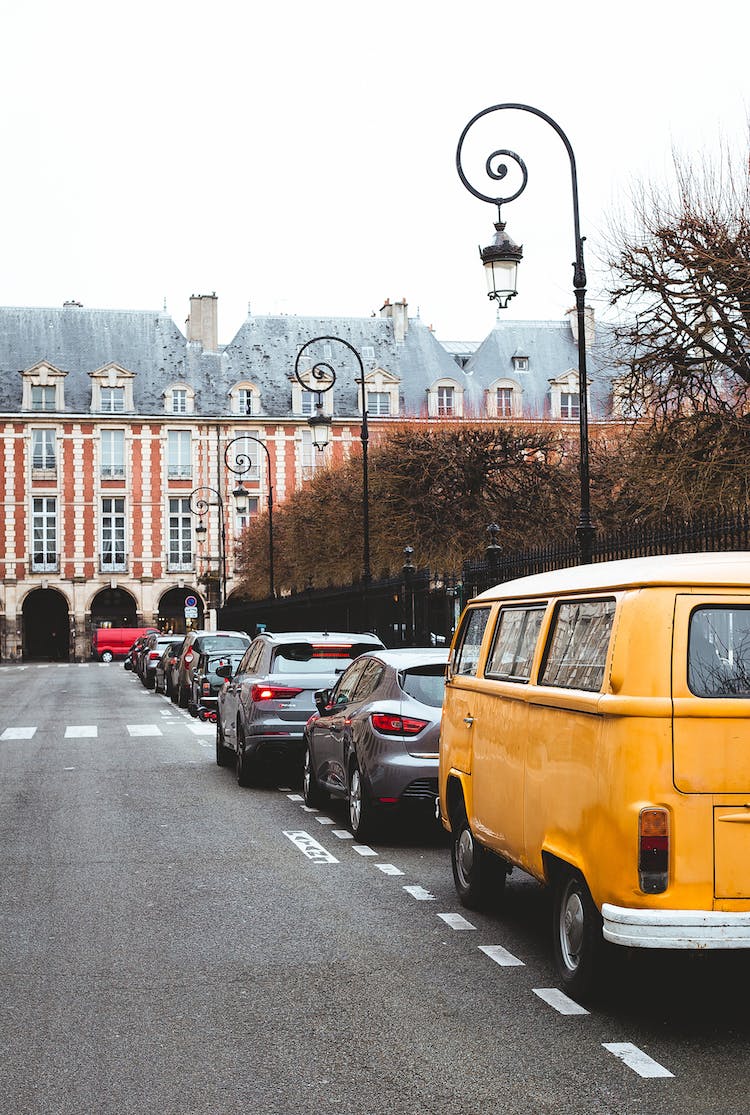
[(172, 944)]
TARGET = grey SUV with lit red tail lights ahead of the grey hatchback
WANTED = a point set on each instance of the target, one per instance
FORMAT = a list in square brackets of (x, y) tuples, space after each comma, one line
[(264, 707)]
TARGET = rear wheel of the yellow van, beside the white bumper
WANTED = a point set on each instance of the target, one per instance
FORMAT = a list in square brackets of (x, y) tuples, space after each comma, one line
[(577, 935)]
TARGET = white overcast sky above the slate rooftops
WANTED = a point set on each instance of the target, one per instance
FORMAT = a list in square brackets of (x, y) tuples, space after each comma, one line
[(300, 157)]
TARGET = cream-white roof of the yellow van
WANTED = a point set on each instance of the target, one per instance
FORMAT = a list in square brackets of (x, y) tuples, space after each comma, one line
[(725, 569)]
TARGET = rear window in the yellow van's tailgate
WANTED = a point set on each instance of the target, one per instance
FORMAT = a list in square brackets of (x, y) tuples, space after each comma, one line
[(719, 653)]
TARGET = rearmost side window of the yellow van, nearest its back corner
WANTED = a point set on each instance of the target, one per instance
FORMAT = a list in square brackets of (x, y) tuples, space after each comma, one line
[(577, 653)]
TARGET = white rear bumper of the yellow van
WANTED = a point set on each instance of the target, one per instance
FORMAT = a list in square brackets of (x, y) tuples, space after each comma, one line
[(676, 929)]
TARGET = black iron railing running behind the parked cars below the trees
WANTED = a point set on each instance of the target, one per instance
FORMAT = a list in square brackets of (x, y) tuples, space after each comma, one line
[(422, 608)]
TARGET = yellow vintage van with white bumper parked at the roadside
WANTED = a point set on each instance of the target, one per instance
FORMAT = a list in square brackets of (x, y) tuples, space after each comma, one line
[(597, 734)]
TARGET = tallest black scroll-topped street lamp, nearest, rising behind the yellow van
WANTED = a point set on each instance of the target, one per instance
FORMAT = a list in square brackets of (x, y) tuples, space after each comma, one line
[(501, 260)]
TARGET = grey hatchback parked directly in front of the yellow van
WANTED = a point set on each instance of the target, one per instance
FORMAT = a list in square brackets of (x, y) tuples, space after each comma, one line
[(375, 738)]
